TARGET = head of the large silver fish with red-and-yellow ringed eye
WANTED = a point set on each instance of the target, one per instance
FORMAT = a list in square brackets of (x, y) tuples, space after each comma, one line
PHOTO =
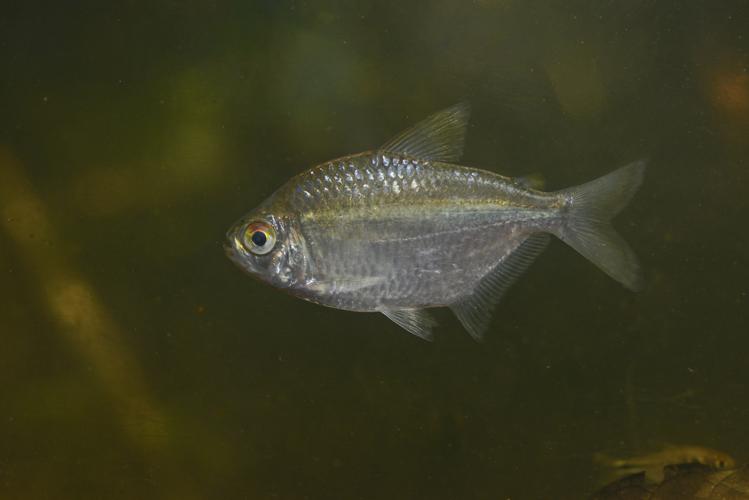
[(269, 247)]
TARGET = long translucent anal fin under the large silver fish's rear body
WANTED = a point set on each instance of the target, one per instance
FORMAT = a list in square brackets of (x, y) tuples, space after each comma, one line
[(474, 310)]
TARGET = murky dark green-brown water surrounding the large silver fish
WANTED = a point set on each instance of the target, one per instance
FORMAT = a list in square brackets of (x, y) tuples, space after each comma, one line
[(138, 362)]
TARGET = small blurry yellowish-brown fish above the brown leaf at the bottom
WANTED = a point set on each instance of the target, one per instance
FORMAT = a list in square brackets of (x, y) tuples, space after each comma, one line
[(653, 464)]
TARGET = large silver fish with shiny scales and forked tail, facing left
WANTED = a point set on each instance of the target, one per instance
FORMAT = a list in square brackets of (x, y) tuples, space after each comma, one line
[(404, 228)]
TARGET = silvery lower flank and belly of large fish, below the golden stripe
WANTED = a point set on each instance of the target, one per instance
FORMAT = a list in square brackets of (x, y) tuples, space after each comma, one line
[(415, 262)]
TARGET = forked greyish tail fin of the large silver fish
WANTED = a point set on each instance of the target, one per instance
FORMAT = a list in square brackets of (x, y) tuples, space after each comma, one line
[(588, 226)]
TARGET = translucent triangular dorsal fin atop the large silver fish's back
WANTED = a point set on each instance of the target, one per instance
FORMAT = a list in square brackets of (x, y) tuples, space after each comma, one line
[(440, 137)]
